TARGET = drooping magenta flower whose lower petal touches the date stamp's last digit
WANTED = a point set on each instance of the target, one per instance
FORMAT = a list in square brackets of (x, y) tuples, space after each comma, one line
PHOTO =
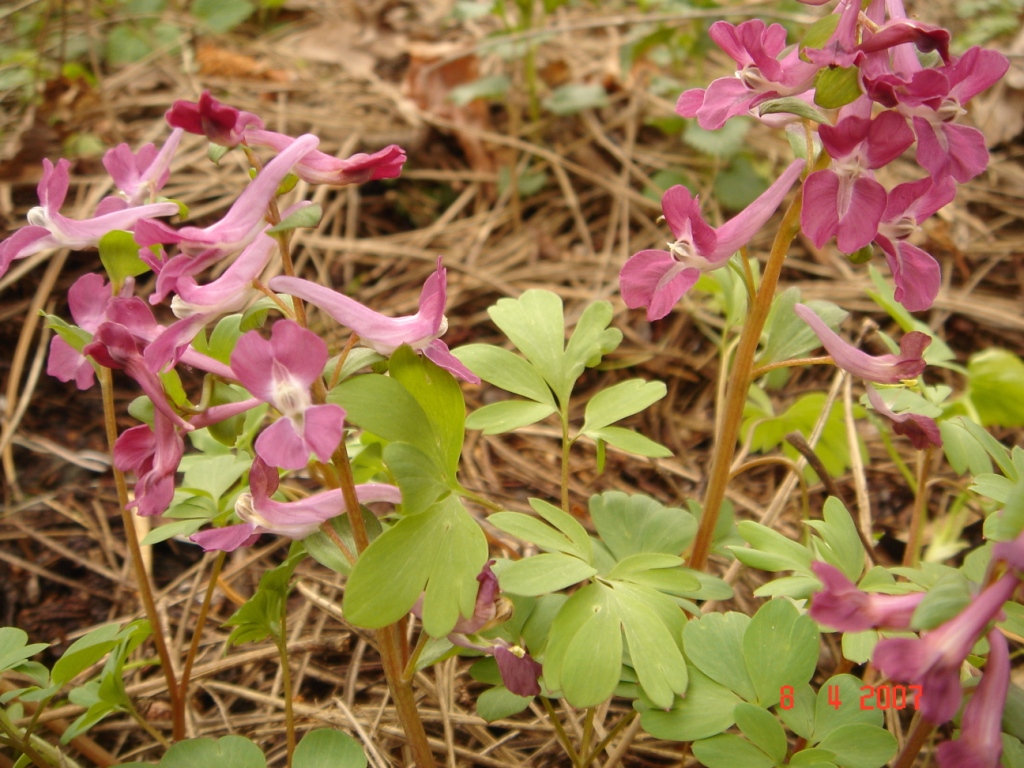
[(933, 661)]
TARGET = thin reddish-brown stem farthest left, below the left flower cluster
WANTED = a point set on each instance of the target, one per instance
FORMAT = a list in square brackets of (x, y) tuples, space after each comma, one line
[(142, 578)]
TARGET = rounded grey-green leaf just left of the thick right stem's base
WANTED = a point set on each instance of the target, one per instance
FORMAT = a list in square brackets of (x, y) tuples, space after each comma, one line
[(634, 525)]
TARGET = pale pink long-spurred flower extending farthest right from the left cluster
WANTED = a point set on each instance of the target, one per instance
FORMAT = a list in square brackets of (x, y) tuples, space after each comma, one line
[(383, 334)]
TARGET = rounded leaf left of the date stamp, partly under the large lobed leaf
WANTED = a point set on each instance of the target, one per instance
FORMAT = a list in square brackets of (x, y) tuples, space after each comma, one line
[(707, 710)]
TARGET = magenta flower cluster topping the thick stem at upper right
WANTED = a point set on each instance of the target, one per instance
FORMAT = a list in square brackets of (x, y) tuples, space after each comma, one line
[(903, 103)]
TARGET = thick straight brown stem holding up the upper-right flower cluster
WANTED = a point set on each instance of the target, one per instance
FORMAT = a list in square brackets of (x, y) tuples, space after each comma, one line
[(736, 399)]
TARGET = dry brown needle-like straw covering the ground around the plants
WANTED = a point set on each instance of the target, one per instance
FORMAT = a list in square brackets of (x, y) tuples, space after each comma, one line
[(64, 564)]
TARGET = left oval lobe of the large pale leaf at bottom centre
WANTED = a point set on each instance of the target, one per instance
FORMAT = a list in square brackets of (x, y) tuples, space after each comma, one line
[(585, 652)]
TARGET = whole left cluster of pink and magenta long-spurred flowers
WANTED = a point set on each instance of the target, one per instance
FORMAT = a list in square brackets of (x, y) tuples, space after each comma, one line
[(117, 330)]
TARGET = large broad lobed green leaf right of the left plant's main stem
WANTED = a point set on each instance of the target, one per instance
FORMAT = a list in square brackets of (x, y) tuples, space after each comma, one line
[(440, 551)]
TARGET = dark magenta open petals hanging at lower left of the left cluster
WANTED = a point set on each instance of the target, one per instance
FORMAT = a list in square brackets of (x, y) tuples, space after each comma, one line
[(154, 456)]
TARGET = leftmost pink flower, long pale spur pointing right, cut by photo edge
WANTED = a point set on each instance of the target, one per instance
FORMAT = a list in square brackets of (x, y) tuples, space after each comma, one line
[(49, 230)]
